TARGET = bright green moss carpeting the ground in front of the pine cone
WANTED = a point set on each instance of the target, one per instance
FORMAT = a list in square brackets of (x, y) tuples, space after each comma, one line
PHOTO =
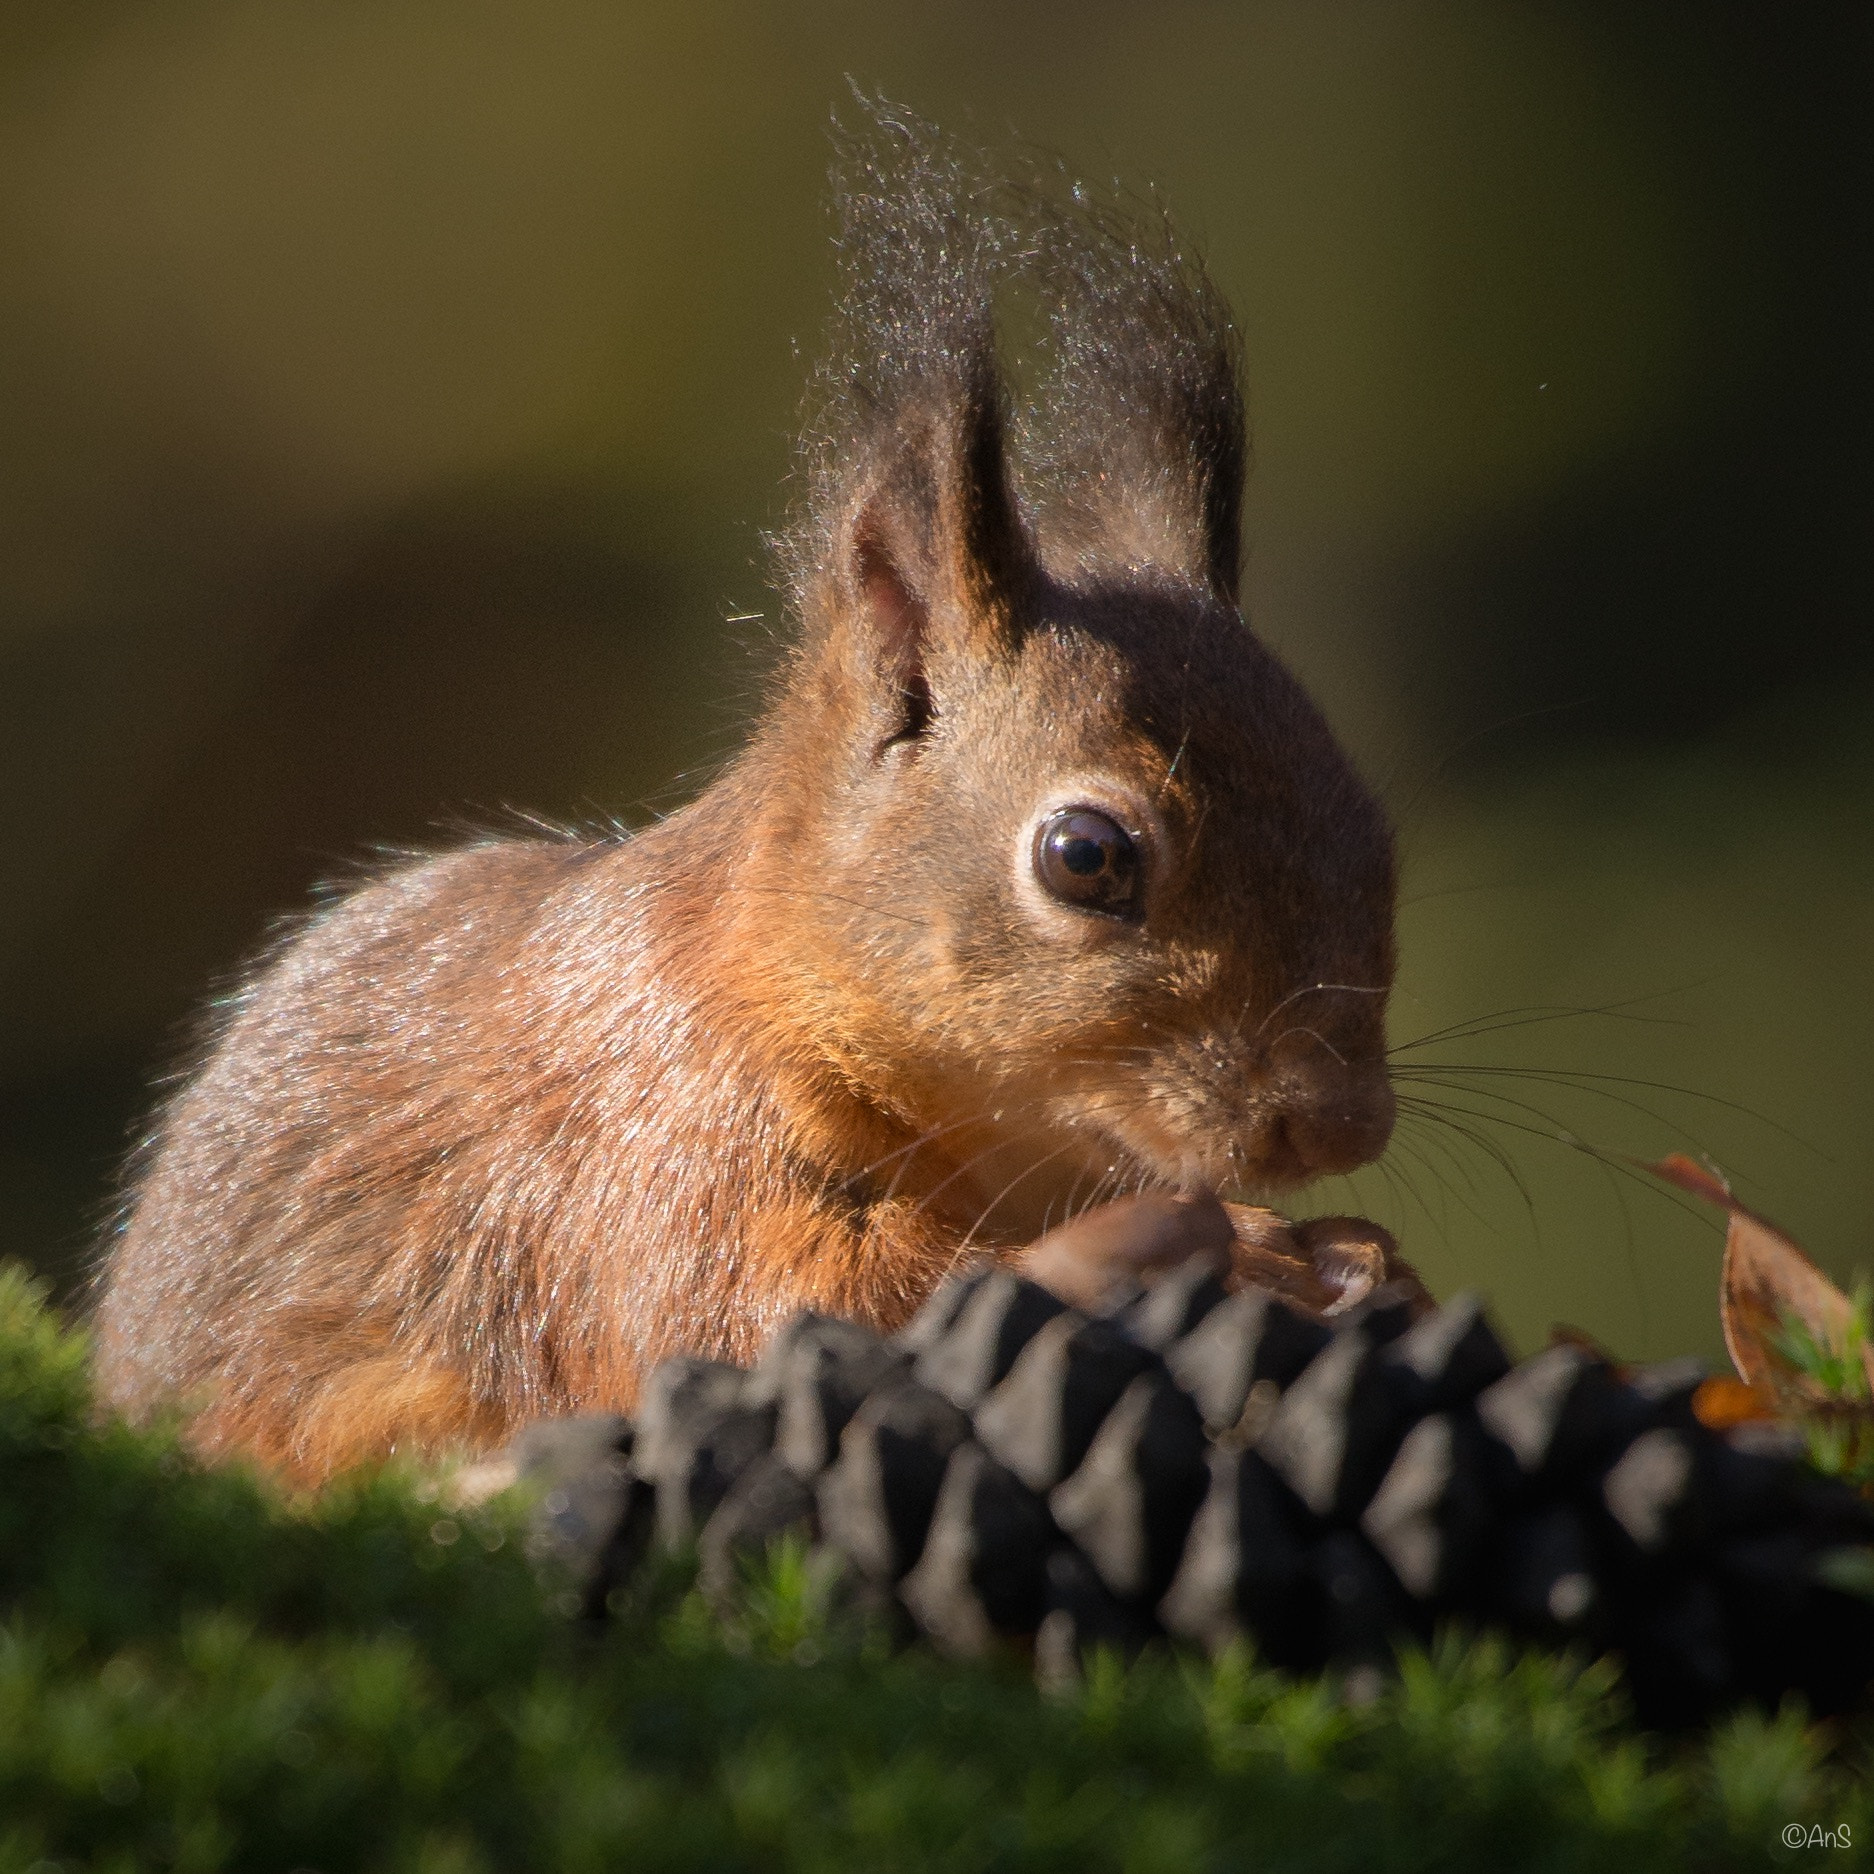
[(196, 1674)]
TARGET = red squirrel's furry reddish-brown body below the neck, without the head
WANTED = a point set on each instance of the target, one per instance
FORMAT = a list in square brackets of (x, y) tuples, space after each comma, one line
[(533, 1146)]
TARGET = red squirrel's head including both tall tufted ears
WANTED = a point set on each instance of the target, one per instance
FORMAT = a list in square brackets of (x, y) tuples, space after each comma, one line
[(1073, 865)]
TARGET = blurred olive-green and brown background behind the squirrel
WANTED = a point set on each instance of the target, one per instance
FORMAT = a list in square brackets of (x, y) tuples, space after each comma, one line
[(393, 394)]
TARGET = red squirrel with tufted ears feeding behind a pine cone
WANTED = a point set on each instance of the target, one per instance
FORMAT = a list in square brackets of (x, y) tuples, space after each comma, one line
[(1037, 884)]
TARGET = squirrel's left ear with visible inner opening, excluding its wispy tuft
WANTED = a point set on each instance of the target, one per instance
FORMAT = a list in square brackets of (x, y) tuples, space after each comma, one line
[(930, 552)]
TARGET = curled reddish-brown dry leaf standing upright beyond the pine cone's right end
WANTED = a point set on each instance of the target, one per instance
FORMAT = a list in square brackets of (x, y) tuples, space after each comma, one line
[(1768, 1281)]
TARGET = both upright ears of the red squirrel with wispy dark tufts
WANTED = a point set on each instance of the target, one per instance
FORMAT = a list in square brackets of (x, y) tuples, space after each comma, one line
[(1131, 445)]
